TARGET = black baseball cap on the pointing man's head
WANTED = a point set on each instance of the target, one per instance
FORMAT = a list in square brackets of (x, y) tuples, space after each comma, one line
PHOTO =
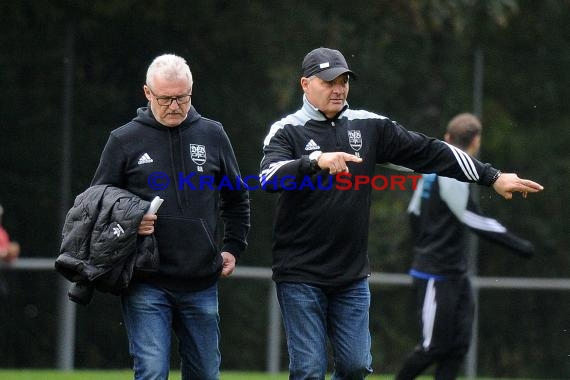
[(326, 64)]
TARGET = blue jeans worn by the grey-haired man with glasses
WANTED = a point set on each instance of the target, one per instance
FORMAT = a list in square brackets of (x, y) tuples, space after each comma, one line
[(150, 312)]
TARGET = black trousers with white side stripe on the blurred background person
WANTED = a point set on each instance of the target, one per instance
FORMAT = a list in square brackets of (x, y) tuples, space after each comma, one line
[(445, 312)]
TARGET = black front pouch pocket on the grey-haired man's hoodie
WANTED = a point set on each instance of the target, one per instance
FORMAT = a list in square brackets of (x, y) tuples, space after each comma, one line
[(186, 247)]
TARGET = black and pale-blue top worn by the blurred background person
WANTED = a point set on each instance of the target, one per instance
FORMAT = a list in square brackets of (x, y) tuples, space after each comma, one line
[(442, 212)]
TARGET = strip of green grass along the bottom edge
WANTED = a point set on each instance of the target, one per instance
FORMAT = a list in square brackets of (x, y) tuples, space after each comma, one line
[(24, 374)]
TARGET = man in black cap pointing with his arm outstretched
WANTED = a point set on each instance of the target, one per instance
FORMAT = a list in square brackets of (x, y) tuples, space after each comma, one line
[(320, 260)]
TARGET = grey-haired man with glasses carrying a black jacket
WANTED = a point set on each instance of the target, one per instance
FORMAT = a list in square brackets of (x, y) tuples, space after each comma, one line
[(170, 140)]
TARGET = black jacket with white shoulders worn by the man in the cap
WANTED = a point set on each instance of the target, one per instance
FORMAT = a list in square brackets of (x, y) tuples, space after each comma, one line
[(321, 236)]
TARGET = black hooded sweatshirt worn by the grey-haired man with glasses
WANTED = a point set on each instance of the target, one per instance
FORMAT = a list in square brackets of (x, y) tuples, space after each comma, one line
[(189, 161)]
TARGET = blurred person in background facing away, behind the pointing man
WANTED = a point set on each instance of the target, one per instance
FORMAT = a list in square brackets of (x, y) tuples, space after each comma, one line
[(442, 212)]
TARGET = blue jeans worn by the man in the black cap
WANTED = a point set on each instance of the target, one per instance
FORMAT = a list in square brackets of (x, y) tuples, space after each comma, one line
[(311, 313)]
